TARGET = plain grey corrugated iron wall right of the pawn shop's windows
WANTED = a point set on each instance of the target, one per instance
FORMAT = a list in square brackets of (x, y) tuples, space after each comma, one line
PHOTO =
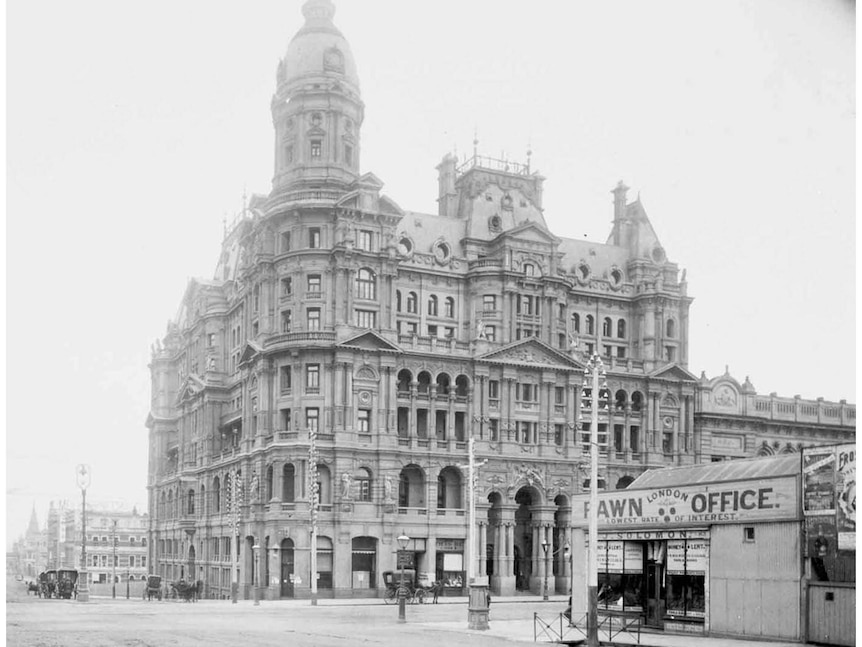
[(754, 586)]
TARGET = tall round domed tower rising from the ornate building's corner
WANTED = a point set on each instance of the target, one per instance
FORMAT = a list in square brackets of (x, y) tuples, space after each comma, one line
[(317, 110)]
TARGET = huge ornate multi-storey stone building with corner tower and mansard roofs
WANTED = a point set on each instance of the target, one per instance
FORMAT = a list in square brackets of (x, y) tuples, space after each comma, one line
[(391, 338)]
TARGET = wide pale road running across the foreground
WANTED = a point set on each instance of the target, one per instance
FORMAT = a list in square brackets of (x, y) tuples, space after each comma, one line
[(34, 622)]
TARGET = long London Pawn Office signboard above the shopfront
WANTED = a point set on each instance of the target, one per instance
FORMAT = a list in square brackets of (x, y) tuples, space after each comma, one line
[(732, 502)]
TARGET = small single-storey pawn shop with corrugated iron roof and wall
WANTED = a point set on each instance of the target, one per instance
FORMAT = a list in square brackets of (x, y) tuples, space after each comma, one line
[(708, 549)]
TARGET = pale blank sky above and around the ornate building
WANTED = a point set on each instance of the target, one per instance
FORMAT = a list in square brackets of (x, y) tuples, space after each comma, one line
[(134, 127)]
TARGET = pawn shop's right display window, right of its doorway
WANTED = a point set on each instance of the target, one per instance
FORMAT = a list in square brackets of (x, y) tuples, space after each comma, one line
[(686, 575)]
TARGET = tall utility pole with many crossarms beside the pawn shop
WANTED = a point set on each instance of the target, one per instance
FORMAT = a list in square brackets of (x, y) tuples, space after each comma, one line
[(594, 373)]
